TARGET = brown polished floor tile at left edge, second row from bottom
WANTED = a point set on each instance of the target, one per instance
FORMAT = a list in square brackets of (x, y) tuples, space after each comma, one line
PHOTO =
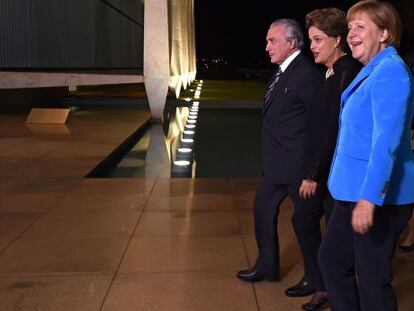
[(50, 256)]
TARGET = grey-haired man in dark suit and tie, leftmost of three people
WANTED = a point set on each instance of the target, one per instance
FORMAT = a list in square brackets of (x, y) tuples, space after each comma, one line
[(285, 126)]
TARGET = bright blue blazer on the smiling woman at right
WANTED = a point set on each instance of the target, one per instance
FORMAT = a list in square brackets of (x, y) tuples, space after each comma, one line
[(373, 158)]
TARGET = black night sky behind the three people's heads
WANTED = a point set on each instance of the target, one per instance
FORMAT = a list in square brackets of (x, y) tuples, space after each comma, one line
[(236, 29)]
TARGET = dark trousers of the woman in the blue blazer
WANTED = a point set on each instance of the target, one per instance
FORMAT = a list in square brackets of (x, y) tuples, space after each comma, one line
[(357, 267)]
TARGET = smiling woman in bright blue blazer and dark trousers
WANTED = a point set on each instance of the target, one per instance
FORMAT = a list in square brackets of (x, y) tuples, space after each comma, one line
[(372, 172)]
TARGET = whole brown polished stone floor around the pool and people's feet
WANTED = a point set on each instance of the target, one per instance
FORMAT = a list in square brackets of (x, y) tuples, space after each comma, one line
[(70, 243)]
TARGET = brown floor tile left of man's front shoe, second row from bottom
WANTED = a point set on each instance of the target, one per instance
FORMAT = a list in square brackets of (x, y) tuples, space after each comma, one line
[(184, 254)]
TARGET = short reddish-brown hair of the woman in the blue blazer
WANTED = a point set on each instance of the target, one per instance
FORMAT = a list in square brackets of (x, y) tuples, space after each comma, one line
[(382, 14)]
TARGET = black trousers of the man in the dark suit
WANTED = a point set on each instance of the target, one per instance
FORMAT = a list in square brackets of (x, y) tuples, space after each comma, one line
[(306, 223)]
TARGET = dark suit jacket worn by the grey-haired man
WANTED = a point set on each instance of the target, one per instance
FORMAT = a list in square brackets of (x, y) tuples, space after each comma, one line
[(285, 122)]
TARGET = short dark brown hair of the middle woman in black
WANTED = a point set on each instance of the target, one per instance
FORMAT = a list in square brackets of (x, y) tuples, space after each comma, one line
[(331, 21)]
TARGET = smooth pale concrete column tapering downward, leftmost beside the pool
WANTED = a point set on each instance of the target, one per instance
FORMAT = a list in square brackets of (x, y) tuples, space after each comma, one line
[(156, 54)]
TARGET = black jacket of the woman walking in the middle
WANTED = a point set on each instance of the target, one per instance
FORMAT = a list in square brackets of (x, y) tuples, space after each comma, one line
[(324, 115)]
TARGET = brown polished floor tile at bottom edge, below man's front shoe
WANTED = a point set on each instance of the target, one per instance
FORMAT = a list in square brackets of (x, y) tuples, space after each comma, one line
[(180, 291)]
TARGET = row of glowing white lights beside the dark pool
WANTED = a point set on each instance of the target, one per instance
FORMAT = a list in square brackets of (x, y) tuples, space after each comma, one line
[(182, 166)]
